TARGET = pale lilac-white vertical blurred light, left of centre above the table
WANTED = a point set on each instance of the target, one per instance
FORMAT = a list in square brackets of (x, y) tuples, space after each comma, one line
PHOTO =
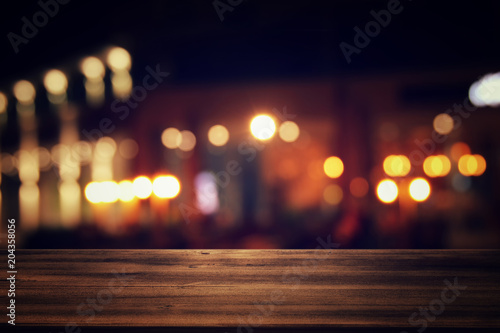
[(207, 198)]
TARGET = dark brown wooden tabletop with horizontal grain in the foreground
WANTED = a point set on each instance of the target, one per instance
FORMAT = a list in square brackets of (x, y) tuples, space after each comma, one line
[(261, 288)]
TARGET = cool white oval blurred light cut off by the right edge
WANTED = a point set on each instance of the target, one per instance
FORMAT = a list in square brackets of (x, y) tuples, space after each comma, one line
[(486, 91)]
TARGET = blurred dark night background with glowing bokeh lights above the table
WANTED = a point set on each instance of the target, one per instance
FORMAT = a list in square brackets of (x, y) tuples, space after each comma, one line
[(250, 124)]
